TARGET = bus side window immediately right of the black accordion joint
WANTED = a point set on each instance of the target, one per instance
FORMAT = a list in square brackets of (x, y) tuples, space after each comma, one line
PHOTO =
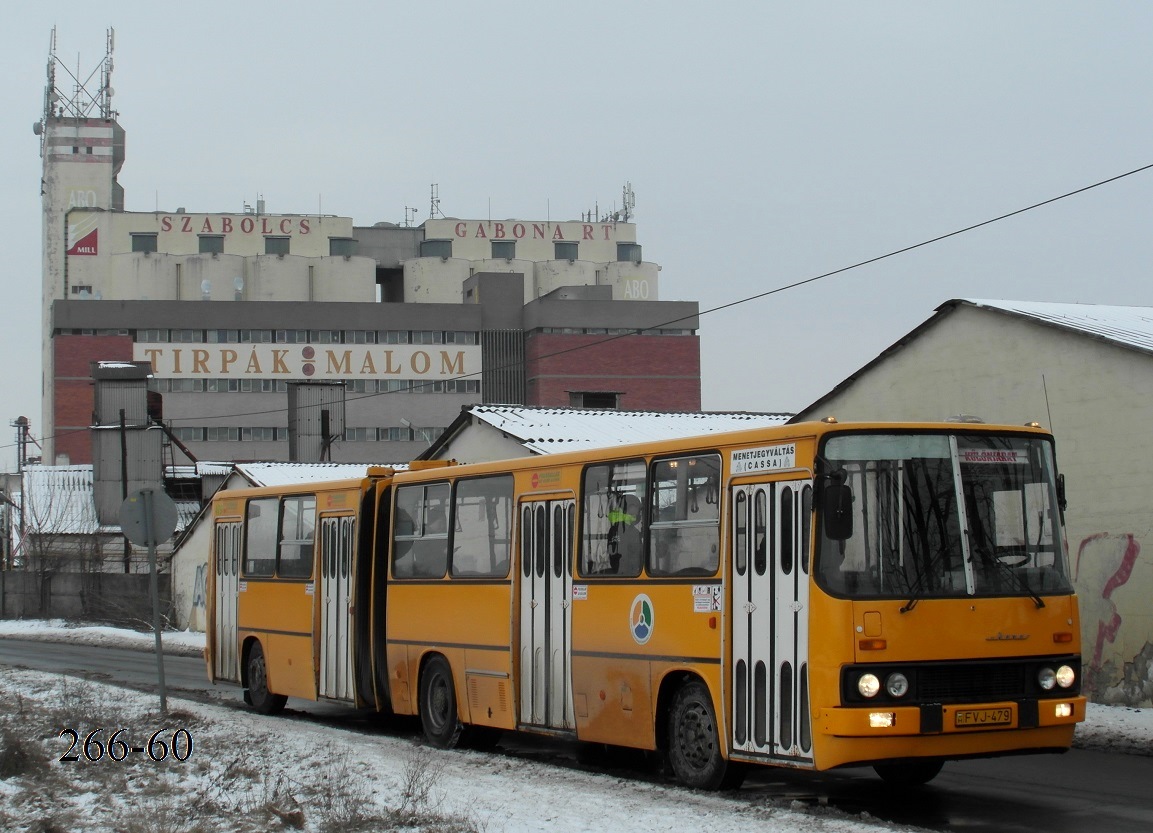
[(421, 538)]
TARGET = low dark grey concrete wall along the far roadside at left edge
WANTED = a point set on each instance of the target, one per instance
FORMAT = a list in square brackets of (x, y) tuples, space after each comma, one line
[(93, 597)]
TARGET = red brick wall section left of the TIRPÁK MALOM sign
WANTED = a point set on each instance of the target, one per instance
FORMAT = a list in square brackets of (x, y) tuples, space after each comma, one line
[(73, 399)]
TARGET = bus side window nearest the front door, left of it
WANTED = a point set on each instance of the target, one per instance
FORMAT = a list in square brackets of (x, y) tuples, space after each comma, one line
[(685, 526)]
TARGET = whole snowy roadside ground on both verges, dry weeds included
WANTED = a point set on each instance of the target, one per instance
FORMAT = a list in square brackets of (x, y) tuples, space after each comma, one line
[(246, 772)]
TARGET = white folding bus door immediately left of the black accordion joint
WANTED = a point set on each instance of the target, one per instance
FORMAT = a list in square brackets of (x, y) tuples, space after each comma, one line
[(337, 543)]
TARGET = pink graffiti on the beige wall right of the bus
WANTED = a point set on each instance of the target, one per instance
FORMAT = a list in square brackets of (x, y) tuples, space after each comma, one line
[(1105, 562)]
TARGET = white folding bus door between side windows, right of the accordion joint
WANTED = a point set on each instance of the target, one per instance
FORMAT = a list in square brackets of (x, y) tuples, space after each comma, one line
[(546, 614)]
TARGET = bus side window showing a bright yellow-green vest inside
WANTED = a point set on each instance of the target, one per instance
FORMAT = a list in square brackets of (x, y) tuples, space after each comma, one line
[(614, 524)]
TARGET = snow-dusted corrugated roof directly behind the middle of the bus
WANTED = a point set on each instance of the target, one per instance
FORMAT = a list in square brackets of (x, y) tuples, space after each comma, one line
[(549, 431)]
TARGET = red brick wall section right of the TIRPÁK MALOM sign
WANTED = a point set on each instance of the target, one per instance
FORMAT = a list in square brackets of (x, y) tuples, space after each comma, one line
[(652, 373)]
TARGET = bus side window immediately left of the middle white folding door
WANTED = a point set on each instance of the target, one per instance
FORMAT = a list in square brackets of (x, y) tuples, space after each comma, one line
[(484, 517)]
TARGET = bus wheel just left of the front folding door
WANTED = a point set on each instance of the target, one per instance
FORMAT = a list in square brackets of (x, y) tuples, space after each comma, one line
[(695, 748)]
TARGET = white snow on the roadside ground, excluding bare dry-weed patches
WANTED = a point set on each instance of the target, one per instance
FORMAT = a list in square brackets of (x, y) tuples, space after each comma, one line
[(498, 793)]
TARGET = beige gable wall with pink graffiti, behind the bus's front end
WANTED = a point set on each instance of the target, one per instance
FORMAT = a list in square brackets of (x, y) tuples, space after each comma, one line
[(1005, 370)]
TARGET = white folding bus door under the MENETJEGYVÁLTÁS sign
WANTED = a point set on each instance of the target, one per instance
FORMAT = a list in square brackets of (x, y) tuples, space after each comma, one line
[(770, 620)]
